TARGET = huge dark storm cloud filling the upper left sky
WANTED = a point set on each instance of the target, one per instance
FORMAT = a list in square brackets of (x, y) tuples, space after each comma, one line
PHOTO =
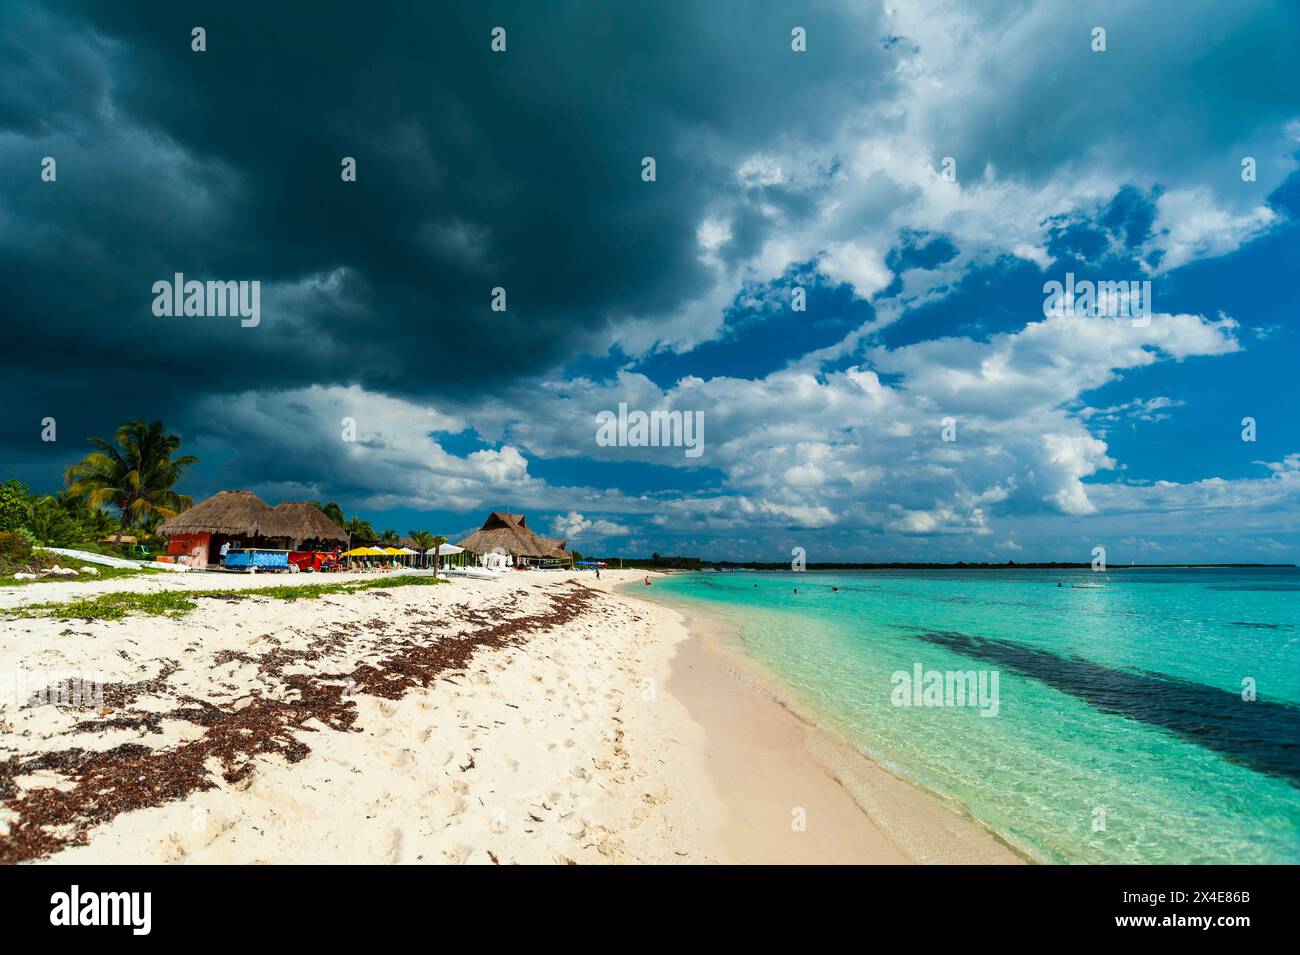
[(475, 171)]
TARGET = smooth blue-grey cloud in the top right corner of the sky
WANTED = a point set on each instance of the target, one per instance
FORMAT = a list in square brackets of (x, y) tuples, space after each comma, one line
[(1060, 98)]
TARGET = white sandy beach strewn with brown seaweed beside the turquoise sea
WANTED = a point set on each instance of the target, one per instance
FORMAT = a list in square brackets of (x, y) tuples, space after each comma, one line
[(561, 723)]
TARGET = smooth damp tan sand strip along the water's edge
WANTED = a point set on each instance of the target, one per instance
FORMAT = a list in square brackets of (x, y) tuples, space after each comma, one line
[(917, 826)]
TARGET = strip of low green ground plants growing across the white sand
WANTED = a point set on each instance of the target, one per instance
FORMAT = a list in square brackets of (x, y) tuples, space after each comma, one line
[(176, 604)]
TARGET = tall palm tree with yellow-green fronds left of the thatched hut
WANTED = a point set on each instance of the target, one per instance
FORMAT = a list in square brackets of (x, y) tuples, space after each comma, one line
[(137, 476)]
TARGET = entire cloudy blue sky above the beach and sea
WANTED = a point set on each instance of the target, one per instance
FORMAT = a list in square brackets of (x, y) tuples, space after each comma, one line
[(920, 173)]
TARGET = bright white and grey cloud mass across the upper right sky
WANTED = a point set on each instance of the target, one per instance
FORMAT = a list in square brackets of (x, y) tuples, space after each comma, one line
[(1039, 129)]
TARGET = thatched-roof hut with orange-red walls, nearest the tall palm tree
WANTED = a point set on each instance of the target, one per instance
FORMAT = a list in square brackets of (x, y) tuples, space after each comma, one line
[(237, 518)]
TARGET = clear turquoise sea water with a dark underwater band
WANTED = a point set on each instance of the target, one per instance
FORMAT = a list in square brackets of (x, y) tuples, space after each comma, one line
[(1121, 733)]
